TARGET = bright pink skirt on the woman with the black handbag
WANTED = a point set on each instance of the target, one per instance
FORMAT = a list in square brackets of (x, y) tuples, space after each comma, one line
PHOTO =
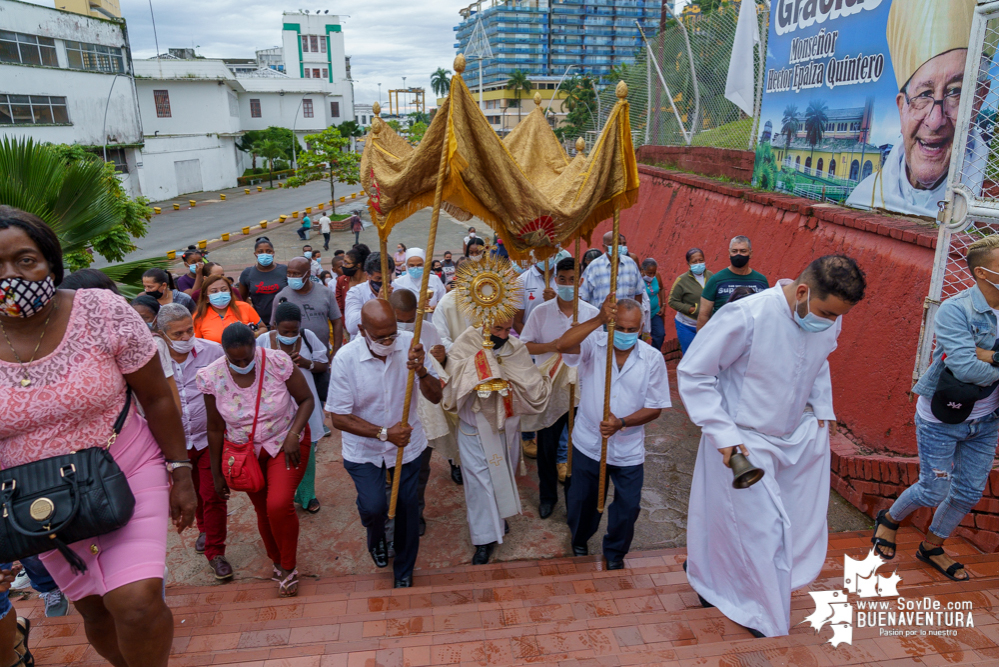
[(137, 551)]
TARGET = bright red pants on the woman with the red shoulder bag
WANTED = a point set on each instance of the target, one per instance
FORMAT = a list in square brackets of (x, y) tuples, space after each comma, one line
[(276, 517)]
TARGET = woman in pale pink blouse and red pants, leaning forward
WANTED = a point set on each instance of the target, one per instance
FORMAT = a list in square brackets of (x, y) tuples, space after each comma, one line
[(282, 433)]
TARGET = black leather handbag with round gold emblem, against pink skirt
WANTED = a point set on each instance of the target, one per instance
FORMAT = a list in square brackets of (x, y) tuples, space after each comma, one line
[(52, 503)]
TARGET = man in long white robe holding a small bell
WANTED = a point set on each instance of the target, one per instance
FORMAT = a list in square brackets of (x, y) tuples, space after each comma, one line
[(757, 378)]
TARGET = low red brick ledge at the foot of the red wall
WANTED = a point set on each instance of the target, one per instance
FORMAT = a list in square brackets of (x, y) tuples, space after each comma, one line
[(871, 483)]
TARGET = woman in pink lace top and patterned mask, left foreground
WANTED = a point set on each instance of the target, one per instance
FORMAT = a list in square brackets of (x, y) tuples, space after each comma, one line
[(66, 360)]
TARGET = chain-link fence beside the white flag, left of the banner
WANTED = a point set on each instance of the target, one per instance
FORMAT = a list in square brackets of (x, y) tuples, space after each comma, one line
[(678, 97)]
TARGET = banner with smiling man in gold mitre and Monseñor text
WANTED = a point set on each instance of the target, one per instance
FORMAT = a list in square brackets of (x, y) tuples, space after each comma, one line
[(860, 100)]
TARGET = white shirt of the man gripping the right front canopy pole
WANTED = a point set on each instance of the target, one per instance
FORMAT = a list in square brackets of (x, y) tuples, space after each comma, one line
[(642, 383)]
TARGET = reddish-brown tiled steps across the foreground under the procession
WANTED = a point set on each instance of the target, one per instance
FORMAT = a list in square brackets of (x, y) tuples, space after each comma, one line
[(564, 611)]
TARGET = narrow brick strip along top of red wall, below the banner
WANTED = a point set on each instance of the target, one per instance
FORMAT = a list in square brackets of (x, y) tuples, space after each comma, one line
[(905, 229)]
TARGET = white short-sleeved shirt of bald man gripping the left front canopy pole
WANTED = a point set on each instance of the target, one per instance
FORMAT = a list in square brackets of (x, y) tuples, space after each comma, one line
[(374, 390)]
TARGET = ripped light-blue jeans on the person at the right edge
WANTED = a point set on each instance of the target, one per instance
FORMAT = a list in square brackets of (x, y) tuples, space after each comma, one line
[(954, 465)]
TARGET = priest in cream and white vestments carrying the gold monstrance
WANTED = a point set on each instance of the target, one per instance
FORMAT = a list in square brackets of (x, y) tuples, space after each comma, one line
[(490, 389)]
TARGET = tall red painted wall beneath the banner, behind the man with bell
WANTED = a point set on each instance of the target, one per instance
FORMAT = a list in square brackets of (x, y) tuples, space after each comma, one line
[(872, 368)]
